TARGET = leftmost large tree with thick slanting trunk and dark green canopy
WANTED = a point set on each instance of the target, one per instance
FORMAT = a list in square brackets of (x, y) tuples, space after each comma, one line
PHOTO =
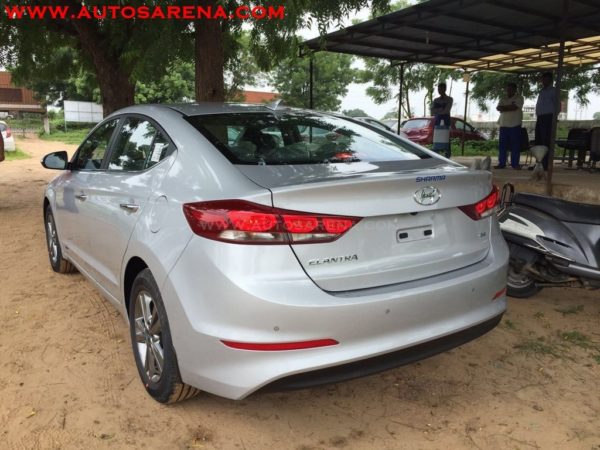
[(117, 52)]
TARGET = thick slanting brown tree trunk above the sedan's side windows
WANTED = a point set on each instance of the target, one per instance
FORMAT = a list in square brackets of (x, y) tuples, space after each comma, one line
[(116, 89)]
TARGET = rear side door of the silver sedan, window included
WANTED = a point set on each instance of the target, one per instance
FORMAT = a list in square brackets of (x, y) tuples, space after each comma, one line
[(122, 194)]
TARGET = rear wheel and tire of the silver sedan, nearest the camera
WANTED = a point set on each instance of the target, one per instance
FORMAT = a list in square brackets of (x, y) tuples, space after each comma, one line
[(152, 345)]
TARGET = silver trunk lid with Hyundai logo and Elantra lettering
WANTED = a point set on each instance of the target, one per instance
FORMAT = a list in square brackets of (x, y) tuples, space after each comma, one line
[(401, 237)]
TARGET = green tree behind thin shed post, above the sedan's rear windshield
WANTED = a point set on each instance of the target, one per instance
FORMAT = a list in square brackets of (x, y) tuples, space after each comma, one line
[(333, 73)]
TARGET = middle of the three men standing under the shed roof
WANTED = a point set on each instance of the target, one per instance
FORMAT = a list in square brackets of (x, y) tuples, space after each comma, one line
[(511, 119)]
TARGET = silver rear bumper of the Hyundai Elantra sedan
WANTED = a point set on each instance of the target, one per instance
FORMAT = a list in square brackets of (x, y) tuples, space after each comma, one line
[(251, 294)]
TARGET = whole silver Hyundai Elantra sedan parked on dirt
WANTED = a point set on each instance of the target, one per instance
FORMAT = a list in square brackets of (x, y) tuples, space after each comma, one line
[(252, 247)]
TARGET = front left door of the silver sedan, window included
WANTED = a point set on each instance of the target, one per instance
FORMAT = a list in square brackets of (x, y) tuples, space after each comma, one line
[(73, 213)]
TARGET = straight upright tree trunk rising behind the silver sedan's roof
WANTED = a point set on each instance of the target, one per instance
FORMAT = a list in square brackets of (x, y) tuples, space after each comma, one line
[(210, 58)]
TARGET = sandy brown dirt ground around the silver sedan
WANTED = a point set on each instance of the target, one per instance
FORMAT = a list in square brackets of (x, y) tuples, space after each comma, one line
[(68, 379)]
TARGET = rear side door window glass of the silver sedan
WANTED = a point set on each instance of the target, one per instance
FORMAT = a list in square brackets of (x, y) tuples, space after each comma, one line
[(134, 148)]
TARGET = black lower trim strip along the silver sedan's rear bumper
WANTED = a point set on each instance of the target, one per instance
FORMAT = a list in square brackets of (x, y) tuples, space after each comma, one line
[(383, 362)]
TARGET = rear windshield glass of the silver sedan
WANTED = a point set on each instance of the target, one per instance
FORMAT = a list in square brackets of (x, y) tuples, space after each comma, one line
[(299, 138)]
